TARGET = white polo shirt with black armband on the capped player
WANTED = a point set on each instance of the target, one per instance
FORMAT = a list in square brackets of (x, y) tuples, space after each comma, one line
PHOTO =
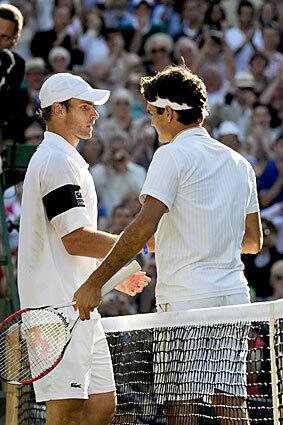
[(58, 197)]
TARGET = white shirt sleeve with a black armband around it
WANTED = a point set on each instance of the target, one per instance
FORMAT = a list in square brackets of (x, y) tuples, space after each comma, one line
[(62, 195)]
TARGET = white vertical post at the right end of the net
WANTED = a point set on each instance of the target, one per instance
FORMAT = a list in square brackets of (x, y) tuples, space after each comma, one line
[(274, 377)]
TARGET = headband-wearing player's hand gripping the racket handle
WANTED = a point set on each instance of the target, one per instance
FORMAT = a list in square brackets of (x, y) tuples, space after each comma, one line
[(87, 298)]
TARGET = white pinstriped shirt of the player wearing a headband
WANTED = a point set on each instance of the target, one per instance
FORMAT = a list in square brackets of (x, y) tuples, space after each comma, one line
[(208, 189)]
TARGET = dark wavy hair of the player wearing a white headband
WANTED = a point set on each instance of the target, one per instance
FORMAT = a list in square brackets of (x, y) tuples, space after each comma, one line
[(180, 85)]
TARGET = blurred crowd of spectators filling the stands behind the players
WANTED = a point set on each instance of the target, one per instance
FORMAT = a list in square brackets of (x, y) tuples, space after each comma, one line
[(236, 47)]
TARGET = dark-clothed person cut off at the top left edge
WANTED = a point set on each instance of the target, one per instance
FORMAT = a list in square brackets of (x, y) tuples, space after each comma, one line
[(12, 69)]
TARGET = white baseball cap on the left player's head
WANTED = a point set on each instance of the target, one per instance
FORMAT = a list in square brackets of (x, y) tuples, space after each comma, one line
[(64, 86)]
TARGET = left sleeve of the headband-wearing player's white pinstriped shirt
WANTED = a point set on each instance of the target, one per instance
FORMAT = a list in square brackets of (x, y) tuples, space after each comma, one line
[(162, 178)]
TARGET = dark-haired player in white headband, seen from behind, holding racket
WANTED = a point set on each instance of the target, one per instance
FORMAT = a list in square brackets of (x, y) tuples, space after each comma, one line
[(200, 201)]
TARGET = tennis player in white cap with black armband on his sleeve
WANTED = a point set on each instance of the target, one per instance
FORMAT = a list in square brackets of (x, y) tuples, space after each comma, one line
[(59, 244)]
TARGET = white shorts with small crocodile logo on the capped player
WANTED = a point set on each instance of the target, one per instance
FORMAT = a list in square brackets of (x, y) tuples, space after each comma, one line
[(85, 369)]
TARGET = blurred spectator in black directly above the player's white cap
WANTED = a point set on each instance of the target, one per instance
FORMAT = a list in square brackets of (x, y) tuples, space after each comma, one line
[(43, 41)]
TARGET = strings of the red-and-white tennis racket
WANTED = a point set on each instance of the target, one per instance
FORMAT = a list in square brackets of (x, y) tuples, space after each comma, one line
[(31, 344)]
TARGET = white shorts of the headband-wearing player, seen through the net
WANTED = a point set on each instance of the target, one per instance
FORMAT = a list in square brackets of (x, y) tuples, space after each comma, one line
[(198, 361)]
